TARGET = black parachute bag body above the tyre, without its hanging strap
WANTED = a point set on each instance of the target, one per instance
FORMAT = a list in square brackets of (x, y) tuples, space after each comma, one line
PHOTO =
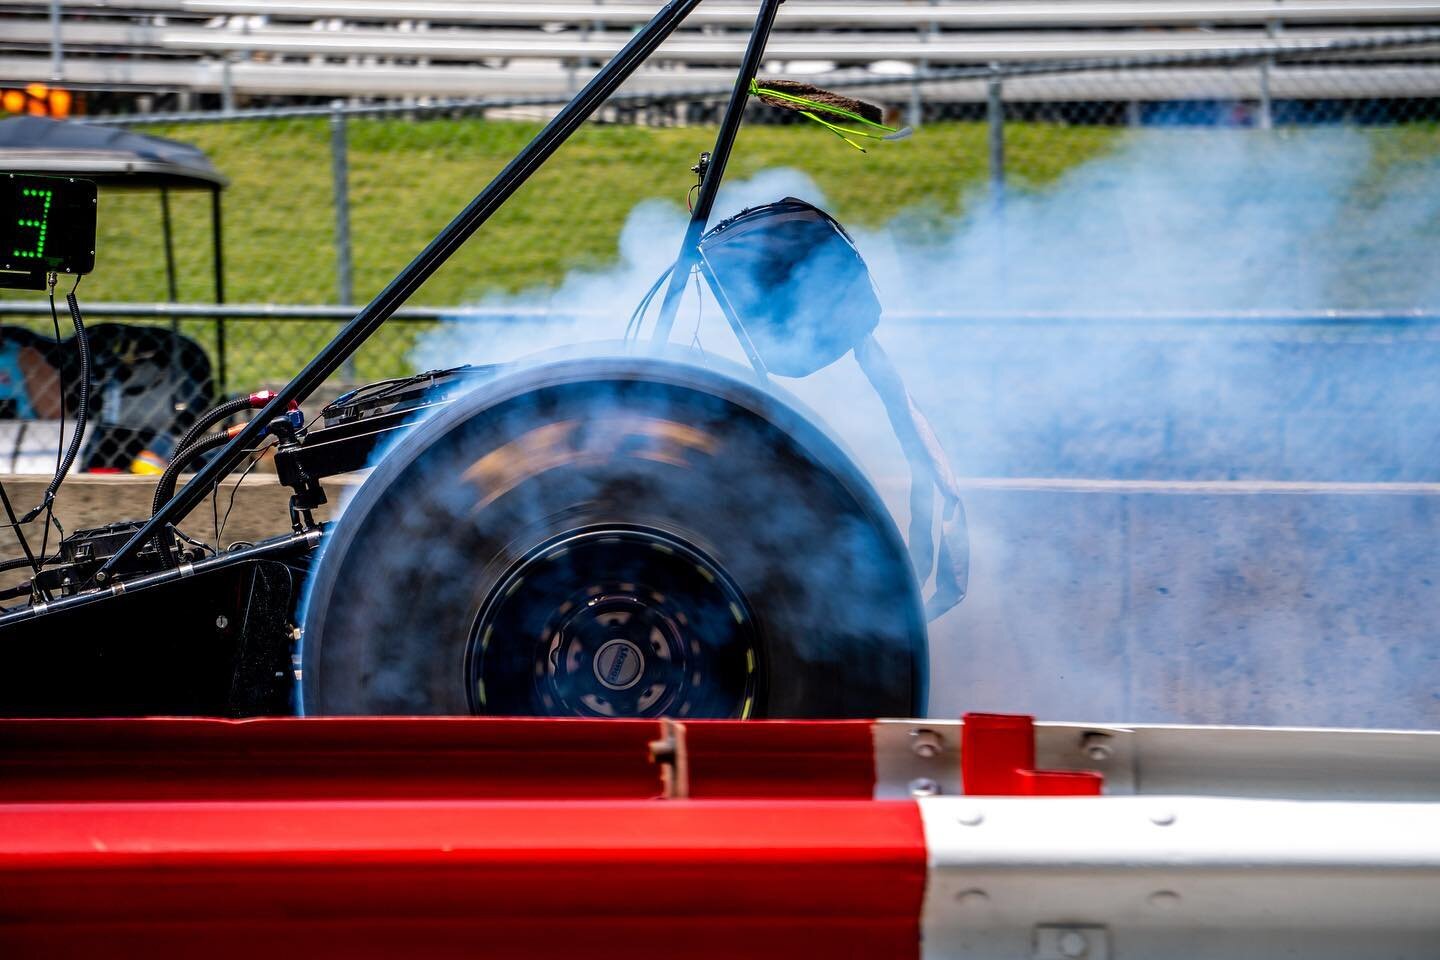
[(793, 280)]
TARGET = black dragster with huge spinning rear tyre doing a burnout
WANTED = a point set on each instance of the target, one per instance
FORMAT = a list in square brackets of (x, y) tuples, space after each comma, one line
[(636, 530)]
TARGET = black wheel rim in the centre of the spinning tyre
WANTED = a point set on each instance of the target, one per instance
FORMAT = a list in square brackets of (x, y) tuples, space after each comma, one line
[(616, 622)]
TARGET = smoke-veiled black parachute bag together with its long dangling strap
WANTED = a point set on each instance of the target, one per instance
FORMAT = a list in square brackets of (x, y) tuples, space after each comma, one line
[(800, 299)]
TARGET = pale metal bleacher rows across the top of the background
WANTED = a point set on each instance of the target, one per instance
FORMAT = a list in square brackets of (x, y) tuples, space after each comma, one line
[(546, 48)]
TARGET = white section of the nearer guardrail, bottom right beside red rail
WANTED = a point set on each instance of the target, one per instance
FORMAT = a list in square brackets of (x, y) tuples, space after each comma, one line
[(1184, 879)]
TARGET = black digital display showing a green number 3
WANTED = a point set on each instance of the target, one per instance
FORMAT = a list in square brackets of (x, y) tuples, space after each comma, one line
[(47, 225)]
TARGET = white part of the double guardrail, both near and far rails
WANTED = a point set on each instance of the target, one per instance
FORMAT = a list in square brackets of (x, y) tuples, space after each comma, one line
[(1210, 843)]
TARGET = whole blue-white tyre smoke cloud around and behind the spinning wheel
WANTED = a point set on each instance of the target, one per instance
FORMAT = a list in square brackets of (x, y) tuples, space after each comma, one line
[(1105, 330)]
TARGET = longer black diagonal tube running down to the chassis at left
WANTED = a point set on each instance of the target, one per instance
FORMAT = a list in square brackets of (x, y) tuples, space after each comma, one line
[(423, 267)]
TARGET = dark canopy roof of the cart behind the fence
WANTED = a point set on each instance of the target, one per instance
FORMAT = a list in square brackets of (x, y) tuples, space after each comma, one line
[(107, 155)]
